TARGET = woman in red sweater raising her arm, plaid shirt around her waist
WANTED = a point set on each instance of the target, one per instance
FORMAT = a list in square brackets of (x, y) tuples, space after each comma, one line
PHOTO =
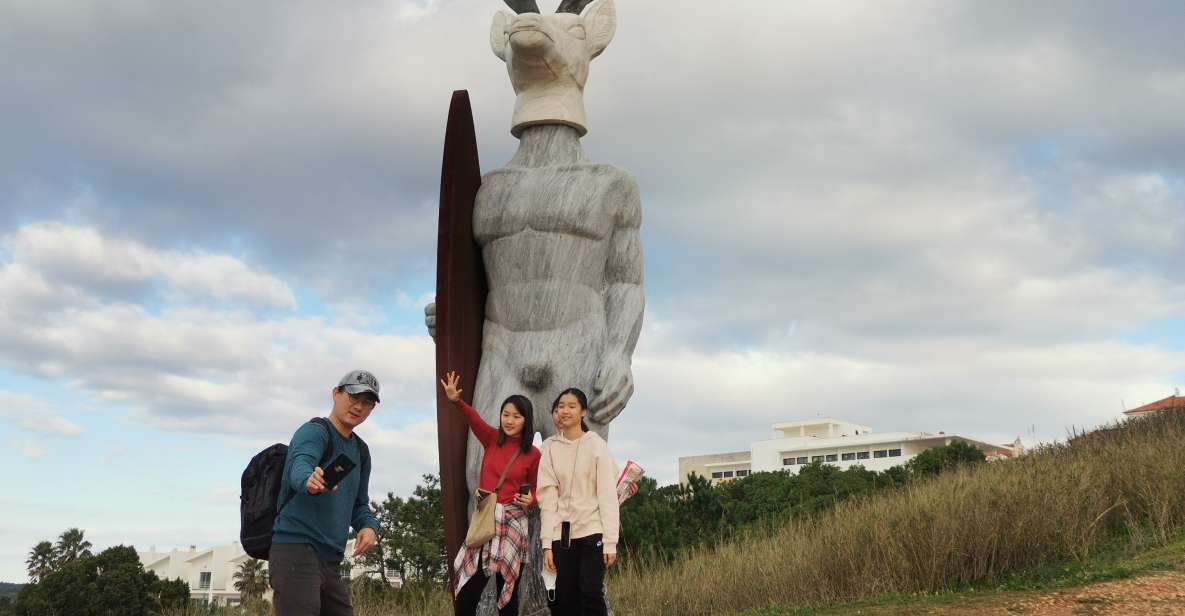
[(510, 450)]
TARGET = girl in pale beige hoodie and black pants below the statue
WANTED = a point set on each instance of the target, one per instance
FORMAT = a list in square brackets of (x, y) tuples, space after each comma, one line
[(579, 509)]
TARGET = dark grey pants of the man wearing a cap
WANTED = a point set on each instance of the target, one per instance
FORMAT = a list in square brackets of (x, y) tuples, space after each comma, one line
[(305, 585)]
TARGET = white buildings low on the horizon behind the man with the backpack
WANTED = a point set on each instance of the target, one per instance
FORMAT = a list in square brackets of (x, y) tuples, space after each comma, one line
[(210, 573)]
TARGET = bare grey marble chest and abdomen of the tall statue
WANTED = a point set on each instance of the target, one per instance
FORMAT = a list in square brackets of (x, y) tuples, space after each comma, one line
[(545, 235)]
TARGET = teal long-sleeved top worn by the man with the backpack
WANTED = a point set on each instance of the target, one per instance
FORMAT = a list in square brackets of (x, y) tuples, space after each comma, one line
[(324, 521)]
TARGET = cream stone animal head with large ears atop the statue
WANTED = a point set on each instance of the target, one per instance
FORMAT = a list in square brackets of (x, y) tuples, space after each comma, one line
[(548, 57)]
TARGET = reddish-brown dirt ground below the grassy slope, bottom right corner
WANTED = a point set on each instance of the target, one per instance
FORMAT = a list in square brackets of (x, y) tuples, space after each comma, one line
[(1152, 594)]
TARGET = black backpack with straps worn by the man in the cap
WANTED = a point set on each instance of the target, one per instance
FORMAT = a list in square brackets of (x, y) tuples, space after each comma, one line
[(261, 491)]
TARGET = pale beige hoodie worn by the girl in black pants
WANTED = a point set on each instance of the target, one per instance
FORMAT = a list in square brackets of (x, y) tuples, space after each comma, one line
[(579, 484)]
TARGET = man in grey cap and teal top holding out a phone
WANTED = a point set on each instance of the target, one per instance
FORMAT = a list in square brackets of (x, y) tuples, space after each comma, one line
[(309, 540)]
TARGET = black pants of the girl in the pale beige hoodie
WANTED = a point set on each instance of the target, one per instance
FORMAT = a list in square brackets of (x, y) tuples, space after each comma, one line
[(580, 579)]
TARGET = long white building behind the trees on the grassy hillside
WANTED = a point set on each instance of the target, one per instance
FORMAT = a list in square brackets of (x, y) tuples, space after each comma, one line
[(831, 442)]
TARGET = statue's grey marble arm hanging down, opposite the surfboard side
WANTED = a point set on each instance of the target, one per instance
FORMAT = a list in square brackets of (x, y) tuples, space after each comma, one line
[(624, 305)]
